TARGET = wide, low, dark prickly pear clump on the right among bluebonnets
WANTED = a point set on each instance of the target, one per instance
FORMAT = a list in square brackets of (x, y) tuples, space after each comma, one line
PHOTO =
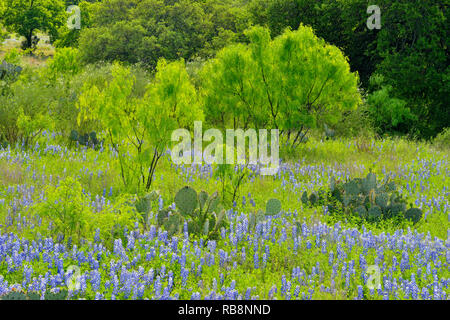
[(366, 198)]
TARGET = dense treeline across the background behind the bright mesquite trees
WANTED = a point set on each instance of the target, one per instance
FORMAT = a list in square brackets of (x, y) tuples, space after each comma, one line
[(403, 68)]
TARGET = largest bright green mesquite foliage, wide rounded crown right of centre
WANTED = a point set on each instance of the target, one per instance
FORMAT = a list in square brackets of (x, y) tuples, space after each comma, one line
[(291, 83)]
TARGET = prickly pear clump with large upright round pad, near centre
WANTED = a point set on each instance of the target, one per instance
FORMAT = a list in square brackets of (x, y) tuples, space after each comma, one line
[(202, 213)]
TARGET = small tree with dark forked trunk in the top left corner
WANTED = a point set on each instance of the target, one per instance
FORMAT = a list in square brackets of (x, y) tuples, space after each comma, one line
[(25, 17)]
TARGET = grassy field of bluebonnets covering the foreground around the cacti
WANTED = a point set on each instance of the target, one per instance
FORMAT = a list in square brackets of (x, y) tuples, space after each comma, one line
[(303, 252)]
